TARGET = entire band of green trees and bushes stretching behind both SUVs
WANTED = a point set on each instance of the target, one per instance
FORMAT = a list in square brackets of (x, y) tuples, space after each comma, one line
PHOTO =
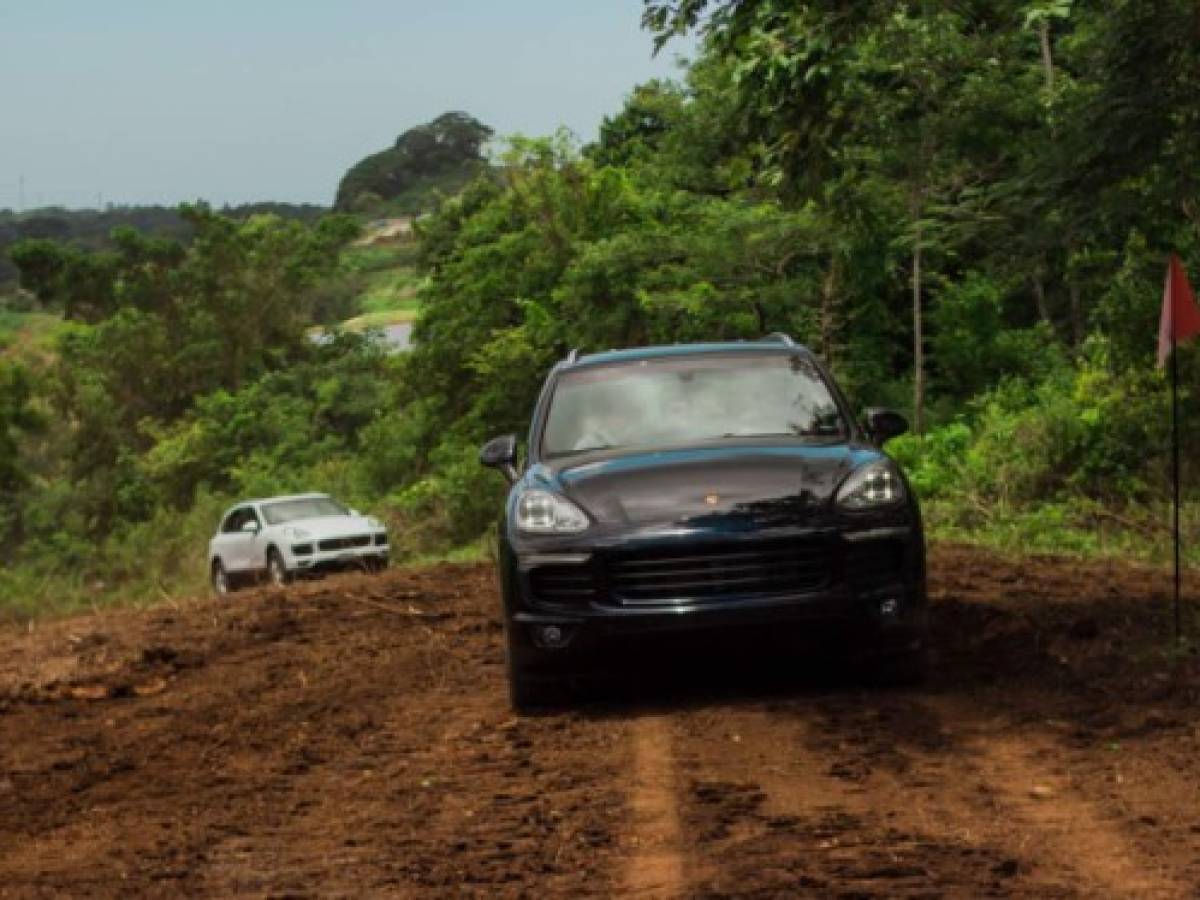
[(964, 207)]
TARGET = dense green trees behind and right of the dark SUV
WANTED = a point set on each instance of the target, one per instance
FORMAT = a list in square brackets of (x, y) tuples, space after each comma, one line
[(967, 208)]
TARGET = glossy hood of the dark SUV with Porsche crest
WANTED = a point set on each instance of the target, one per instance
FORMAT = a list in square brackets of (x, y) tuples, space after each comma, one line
[(769, 485)]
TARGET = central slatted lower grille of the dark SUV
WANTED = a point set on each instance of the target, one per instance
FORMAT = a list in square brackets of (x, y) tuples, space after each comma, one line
[(701, 574)]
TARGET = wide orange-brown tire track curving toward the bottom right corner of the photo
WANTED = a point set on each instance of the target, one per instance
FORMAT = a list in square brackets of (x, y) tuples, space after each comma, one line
[(950, 766)]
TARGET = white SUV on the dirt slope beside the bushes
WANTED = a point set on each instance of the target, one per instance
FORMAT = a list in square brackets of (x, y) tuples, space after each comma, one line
[(284, 537)]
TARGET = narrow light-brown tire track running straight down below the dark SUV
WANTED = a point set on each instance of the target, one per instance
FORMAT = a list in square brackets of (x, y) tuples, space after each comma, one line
[(655, 868)]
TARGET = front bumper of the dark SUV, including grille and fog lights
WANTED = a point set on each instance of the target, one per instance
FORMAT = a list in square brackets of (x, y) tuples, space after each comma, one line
[(837, 591)]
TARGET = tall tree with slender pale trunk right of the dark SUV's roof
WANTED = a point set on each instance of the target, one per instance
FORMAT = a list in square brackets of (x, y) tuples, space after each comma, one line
[(898, 109)]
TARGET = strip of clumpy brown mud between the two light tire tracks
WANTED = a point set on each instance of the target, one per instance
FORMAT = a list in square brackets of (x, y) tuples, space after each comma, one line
[(773, 814)]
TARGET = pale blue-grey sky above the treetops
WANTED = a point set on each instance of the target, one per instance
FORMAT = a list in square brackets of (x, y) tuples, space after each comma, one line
[(235, 101)]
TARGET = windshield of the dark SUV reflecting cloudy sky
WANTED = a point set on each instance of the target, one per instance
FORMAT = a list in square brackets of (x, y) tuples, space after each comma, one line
[(687, 400)]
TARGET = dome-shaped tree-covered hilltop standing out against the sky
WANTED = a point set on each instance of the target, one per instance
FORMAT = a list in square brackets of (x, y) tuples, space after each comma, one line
[(406, 179)]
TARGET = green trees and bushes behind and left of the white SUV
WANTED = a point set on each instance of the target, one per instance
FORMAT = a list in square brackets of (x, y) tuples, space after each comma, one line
[(182, 376)]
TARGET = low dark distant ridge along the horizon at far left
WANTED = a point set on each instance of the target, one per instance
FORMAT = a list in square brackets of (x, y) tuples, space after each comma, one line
[(91, 229)]
